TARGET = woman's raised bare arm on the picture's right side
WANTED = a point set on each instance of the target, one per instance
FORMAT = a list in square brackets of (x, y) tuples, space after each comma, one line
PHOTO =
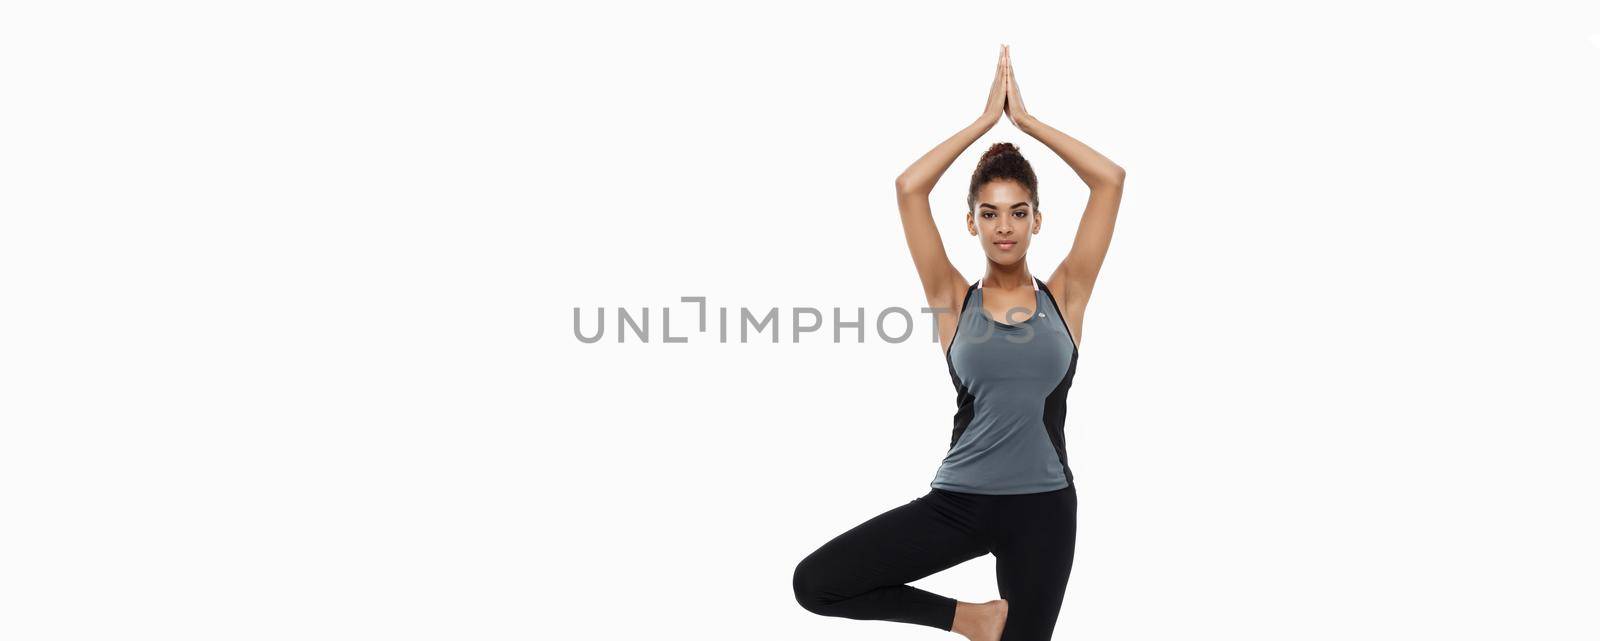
[(1074, 279)]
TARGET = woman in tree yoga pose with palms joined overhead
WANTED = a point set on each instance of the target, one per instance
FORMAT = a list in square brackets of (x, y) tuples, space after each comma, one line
[(1004, 487)]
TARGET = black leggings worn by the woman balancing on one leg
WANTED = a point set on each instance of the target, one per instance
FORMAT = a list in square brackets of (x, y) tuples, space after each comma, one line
[(863, 573)]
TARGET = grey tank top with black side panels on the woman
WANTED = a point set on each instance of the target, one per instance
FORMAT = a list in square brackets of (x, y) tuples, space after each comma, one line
[(1012, 384)]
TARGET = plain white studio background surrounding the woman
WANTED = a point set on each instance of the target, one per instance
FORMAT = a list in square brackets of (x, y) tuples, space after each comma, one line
[(287, 341)]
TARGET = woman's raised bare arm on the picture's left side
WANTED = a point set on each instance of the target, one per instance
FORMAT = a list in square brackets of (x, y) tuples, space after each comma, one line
[(942, 282)]
